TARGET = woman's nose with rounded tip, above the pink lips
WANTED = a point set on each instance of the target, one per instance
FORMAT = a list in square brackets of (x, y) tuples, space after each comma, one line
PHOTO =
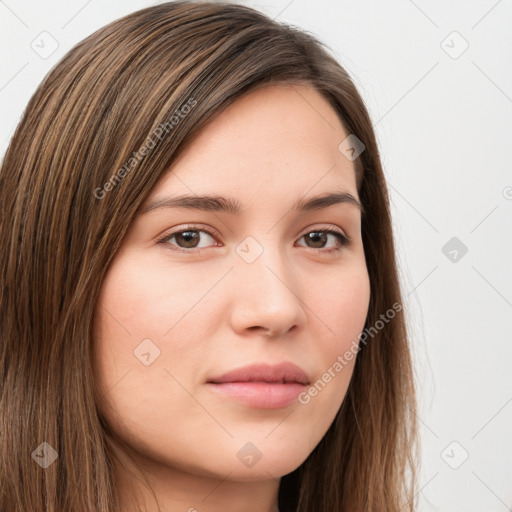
[(267, 297)]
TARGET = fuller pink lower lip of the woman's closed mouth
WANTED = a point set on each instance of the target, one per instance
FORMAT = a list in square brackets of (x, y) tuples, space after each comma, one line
[(262, 395)]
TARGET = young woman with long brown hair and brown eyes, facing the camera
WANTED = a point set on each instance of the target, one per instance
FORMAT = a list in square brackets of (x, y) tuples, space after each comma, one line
[(200, 306)]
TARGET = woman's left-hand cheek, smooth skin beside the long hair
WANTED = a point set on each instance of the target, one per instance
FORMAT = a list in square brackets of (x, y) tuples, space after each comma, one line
[(149, 320)]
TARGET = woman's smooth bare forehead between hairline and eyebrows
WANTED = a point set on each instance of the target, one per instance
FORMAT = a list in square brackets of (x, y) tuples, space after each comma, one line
[(276, 141)]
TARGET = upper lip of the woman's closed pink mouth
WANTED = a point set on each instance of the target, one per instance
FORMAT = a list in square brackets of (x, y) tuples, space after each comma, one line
[(262, 372)]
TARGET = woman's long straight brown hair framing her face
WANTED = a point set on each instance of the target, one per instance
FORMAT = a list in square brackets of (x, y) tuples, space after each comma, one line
[(72, 180)]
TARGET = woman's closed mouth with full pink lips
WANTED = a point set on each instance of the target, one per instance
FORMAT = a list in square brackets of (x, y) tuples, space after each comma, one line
[(262, 386)]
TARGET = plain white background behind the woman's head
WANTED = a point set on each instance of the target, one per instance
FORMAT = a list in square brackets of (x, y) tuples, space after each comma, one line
[(444, 126)]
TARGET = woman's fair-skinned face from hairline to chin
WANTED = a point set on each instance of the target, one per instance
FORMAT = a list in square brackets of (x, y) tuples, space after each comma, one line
[(268, 284)]
